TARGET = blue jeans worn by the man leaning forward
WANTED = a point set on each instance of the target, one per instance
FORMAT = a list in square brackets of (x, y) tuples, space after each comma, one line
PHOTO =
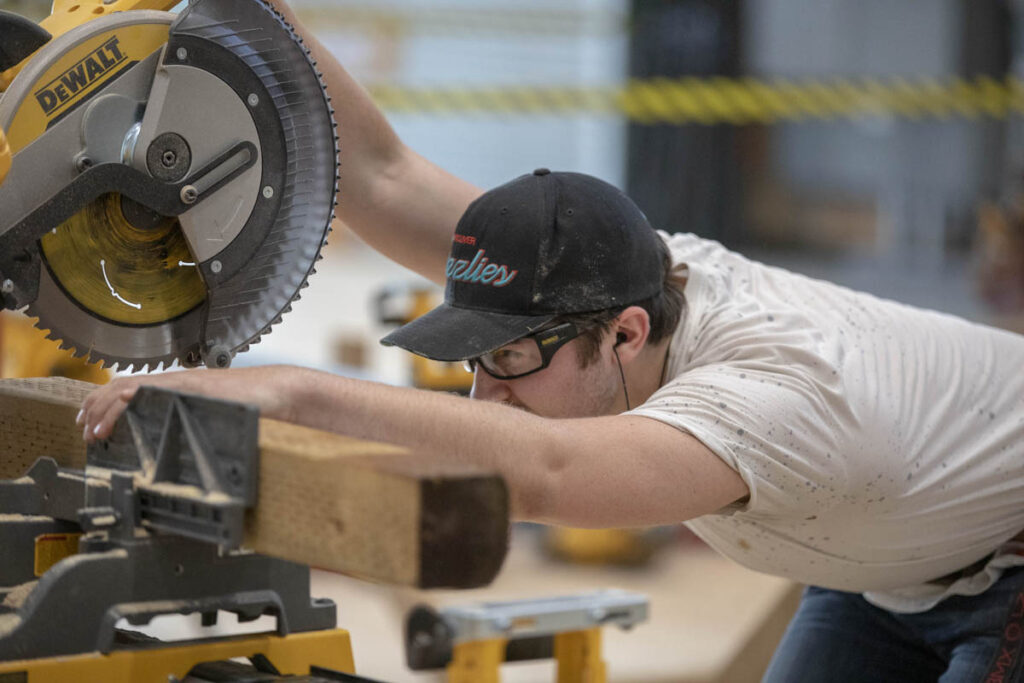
[(839, 637)]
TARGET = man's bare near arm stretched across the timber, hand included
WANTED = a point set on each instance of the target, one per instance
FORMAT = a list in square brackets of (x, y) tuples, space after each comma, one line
[(608, 472)]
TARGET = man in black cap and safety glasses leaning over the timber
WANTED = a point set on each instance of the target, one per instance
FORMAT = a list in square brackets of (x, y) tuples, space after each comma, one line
[(630, 378)]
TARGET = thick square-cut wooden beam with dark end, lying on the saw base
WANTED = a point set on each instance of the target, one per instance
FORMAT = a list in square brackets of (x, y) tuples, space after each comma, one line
[(362, 508)]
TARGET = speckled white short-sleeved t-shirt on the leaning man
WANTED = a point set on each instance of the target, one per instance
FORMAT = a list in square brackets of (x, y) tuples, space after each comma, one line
[(883, 445)]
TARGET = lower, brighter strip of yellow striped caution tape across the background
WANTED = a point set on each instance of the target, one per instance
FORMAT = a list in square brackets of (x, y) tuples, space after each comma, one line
[(723, 101)]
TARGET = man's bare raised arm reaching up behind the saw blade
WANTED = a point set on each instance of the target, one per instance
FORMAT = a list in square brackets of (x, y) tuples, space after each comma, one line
[(400, 203)]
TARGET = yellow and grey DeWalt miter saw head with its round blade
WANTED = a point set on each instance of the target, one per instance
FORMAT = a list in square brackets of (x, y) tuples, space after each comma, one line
[(166, 181)]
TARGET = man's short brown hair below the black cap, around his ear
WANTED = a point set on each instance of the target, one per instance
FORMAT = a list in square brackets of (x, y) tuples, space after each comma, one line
[(665, 311)]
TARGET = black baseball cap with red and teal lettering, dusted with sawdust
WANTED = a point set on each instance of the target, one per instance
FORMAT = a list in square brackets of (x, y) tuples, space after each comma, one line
[(538, 247)]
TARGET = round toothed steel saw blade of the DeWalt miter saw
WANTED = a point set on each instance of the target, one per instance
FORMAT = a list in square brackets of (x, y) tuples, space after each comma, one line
[(126, 294)]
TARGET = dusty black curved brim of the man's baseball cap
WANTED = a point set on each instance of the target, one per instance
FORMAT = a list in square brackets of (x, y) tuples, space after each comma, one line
[(449, 333)]
